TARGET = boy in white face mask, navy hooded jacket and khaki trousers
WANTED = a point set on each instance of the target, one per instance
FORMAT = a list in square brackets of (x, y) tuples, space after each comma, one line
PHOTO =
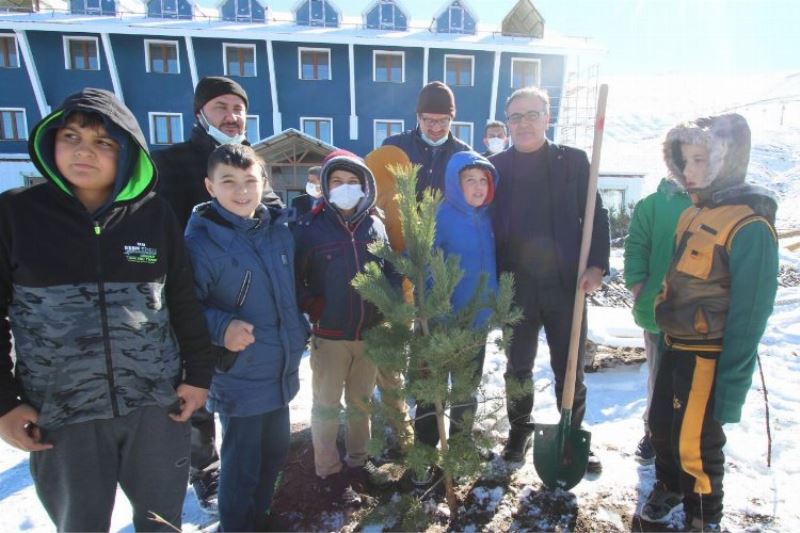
[(332, 247)]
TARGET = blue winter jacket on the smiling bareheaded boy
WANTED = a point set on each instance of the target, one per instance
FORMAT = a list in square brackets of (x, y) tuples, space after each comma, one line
[(244, 269)]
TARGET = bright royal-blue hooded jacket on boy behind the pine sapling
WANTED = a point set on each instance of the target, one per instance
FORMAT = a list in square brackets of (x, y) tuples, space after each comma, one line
[(466, 231)]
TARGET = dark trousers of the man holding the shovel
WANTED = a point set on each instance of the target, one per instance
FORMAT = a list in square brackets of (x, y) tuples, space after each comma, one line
[(545, 304)]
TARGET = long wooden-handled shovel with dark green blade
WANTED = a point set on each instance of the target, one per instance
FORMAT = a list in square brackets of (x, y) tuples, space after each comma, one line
[(561, 452)]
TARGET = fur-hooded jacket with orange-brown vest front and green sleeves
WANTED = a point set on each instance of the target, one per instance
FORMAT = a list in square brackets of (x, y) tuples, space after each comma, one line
[(721, 285)]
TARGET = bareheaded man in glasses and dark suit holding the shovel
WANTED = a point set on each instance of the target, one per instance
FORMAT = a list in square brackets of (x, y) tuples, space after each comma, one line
[(539, 207)]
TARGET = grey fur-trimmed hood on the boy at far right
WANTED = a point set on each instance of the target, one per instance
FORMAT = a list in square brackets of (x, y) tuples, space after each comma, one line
[(727, 139)]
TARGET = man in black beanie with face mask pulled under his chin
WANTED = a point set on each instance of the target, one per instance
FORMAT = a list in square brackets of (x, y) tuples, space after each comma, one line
[(220, 108)]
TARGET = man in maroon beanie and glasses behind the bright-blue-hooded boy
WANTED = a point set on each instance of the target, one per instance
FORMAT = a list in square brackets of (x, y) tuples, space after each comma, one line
[(431, 143)]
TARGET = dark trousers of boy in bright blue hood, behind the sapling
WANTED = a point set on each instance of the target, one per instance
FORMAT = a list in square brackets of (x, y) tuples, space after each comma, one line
[(426, 429)]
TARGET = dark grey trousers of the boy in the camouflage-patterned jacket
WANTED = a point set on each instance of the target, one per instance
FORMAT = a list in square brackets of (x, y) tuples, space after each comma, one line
[(145, 452)]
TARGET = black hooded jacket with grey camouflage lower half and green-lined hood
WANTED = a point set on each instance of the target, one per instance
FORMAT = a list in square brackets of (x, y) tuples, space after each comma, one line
[(101, 305)]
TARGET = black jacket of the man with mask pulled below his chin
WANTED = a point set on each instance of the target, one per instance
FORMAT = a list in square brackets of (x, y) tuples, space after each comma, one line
[(182, 169)]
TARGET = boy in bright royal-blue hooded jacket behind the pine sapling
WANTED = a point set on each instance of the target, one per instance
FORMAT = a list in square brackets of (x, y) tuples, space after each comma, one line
[(464, 228)]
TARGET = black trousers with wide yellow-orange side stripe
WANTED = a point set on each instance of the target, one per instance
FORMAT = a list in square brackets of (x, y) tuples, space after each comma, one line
[(687, 439)]
